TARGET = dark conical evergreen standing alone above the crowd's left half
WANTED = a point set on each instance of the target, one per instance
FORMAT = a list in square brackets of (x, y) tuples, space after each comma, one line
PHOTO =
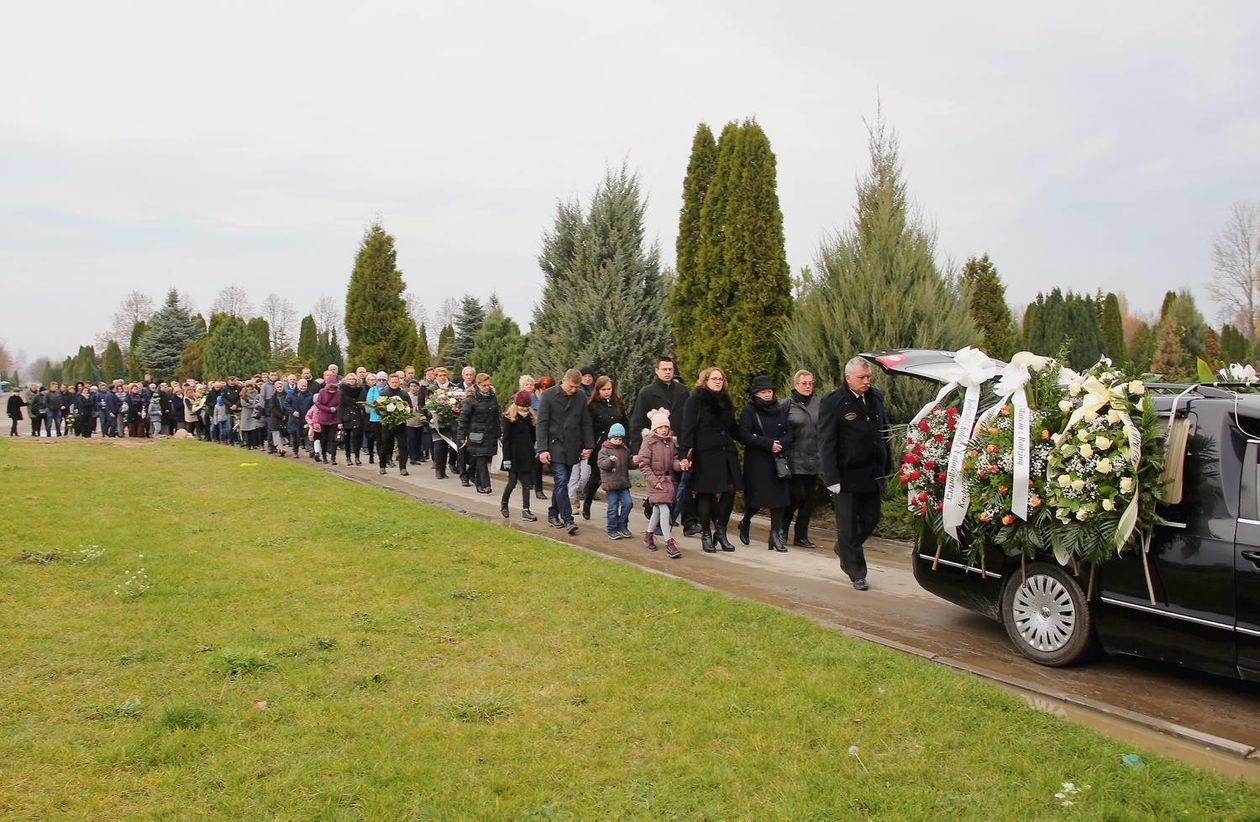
[(377, 325)]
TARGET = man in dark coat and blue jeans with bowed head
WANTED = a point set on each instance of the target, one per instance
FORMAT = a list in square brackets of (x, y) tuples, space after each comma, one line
[(564, 438)]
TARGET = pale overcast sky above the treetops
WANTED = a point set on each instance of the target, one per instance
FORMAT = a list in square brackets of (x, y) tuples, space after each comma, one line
[(146, 146)]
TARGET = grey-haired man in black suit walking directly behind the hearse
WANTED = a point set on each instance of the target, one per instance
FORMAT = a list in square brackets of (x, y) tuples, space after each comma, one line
[(857, 460)]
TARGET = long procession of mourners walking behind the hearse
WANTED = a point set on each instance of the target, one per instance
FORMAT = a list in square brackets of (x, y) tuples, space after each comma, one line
[(682, 441)]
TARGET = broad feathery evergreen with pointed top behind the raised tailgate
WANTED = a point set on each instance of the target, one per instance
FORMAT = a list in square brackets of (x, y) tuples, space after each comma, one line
[(878, 286)]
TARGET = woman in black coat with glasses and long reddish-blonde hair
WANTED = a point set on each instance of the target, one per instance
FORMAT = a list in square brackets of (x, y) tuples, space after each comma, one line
[(707, 444)]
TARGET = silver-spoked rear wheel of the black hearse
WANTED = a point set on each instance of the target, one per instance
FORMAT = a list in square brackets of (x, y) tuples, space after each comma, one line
[(1048, 616)]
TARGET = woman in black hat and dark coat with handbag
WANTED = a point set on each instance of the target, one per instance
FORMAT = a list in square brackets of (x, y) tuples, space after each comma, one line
[(767, 436)]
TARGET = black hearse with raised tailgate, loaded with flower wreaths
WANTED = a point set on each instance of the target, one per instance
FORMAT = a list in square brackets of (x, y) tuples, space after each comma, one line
[(1204, 565)]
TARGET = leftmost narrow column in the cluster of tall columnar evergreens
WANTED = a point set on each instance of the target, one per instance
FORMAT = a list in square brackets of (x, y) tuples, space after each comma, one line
[(687, 291)]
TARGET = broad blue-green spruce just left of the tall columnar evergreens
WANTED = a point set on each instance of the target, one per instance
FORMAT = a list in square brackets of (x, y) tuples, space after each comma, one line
[(604, 298)]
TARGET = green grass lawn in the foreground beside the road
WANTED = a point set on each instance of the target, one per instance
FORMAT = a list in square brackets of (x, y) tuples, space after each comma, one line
[(308, 647)]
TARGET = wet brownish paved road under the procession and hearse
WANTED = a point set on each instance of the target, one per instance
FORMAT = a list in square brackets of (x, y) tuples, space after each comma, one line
[(1215, 717)]
